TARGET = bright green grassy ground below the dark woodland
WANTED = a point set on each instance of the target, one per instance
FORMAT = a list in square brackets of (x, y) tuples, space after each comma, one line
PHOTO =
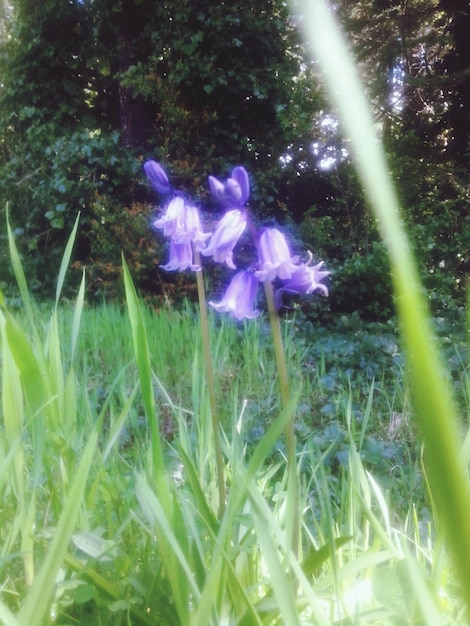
[(369, 551)]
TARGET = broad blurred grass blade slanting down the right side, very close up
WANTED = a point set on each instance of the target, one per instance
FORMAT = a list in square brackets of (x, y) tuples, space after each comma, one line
[(433, 403)]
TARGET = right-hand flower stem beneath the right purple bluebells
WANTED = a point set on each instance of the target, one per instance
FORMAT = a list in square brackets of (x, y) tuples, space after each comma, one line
[(292, 481)]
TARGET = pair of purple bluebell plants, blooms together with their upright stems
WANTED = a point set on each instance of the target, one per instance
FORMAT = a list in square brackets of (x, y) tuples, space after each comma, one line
[(275, 265)]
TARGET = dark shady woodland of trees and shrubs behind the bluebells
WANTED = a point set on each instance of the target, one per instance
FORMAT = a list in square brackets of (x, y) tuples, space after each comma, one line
[(90, 89)]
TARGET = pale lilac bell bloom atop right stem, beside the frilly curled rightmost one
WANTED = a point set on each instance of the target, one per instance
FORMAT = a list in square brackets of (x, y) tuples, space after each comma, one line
[(274, 257)]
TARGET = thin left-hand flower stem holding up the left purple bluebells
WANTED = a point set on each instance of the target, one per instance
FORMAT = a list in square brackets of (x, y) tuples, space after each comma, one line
[(210, 383)]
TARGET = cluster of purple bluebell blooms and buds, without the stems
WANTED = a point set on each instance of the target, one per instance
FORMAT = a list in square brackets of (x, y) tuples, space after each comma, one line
[(182, 224)]
